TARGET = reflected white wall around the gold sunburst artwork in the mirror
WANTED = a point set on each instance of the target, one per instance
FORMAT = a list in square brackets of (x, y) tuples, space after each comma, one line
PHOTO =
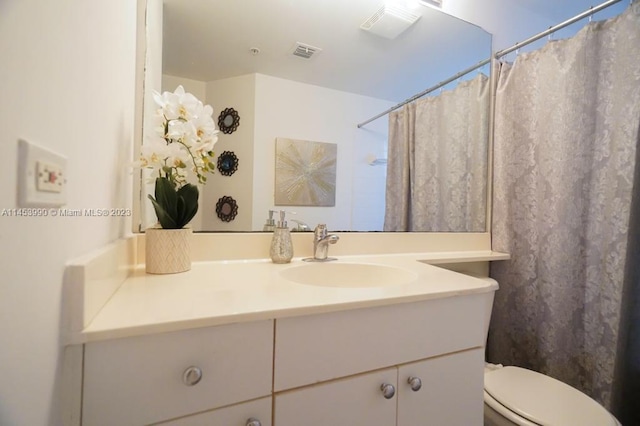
[(294, 110)]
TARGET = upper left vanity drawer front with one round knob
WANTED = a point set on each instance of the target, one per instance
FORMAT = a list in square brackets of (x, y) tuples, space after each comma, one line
[(141, 380)]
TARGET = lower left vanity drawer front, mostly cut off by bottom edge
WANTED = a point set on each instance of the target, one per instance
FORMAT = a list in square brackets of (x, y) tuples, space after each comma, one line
[(258, 411)]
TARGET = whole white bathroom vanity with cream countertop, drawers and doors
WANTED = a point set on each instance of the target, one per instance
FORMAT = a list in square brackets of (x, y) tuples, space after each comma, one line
[(389, 340)]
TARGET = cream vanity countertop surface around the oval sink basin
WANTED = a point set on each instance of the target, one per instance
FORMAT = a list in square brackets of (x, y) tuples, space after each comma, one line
[(224, 292)]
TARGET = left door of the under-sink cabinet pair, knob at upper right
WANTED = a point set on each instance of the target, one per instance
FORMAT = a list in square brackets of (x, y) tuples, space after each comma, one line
[(352, 401)]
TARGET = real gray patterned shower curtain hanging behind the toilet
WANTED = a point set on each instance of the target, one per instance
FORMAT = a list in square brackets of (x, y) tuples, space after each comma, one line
[(567, 125)]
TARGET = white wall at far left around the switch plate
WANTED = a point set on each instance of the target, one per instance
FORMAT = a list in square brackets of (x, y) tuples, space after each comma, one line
[(67, 81)]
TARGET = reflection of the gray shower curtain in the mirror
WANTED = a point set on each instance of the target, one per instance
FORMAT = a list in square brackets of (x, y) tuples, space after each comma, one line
[(437, 161)]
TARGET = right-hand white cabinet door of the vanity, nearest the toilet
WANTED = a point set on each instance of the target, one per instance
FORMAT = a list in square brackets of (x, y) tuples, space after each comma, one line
[(451, 392)]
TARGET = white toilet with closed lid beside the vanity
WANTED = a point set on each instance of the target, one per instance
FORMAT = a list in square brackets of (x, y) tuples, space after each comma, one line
[(517, 396)]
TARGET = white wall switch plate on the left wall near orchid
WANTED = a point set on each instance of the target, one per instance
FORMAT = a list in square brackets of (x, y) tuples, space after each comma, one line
[(42, 178)]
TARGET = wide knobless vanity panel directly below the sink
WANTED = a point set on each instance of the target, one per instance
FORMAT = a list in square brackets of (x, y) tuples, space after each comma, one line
[(322, 347)]
